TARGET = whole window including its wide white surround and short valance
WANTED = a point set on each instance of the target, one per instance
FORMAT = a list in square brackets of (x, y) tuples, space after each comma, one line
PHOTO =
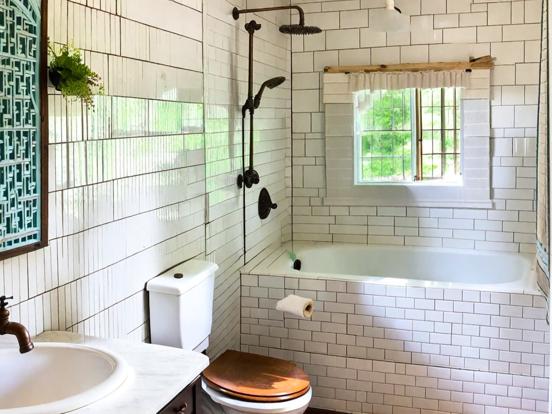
[(374, 143)]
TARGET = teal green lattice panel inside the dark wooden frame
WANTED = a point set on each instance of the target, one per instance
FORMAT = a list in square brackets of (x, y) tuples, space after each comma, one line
[(19, 123)]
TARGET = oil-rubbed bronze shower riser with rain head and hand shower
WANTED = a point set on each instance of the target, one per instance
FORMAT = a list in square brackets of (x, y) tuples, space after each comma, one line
[(250, 176)]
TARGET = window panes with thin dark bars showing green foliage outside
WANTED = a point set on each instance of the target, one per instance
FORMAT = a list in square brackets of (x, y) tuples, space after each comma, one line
[(408, 135)]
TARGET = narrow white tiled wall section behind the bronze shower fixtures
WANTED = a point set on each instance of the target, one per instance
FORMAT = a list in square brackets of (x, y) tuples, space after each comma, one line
[(226, 72)]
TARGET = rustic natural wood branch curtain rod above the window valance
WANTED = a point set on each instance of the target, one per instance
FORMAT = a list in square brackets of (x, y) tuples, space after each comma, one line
[(484, 62)]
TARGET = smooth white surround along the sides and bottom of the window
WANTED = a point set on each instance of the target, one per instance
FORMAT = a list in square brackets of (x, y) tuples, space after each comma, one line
[(473, 191)]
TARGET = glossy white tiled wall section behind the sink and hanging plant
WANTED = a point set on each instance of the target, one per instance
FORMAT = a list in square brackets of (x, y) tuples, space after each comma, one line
[(127, 180)]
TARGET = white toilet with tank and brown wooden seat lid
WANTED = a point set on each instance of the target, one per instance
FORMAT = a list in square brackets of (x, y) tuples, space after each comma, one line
[(181, 309)]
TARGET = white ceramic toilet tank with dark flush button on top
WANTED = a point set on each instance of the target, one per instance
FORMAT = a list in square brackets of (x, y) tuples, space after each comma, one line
[(181, 305)]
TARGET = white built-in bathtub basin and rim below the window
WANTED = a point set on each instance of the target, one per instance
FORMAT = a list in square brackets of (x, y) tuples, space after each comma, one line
[(407, 266)]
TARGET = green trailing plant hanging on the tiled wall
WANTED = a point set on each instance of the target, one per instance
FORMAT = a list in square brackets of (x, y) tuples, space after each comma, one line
[(71, 76)]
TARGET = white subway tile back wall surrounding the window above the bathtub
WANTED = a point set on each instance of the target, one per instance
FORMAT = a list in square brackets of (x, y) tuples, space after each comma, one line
[(442, 31)]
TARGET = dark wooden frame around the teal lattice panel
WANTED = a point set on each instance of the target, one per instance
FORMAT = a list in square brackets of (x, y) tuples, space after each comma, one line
[(43, 93)]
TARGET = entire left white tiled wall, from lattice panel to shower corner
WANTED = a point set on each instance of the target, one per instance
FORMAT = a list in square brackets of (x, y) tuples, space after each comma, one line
[(143, 183)]
